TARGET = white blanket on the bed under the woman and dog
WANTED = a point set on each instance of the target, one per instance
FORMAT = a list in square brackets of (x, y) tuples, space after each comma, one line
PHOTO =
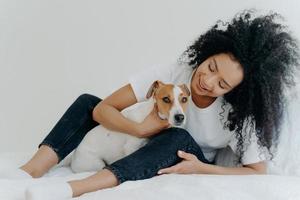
[(208, 187)]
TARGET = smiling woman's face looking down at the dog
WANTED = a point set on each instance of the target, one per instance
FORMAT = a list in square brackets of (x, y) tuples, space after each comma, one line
[(216, 76)]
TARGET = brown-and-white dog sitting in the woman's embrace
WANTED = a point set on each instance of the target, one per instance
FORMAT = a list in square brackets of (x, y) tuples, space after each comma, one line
[(101, 146)]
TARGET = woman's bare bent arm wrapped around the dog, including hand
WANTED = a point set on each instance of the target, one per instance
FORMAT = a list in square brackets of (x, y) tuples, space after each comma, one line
[(107, 113)]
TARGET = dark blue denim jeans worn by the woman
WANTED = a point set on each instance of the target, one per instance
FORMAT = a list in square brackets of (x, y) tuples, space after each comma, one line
[(160, 152)]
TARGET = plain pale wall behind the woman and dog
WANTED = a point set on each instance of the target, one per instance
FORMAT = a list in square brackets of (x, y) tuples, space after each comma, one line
[(51, 51)]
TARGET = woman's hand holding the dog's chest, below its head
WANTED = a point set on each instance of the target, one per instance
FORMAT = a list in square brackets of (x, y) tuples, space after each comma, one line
[(152, 124)]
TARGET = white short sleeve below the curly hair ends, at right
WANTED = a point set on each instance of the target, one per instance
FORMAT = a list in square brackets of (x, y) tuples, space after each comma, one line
[(253, 152)]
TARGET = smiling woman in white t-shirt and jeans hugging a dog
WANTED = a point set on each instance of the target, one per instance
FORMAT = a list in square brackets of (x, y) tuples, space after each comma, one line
[(236, 75)]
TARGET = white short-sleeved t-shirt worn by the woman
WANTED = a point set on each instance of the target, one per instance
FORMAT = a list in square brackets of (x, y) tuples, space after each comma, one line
[(203, 124)]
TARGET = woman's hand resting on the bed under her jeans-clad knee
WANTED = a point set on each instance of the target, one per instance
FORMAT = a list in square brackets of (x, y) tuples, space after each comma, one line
[(189, 165)]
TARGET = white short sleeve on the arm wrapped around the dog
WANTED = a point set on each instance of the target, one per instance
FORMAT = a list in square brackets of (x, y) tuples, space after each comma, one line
[(141, 81)]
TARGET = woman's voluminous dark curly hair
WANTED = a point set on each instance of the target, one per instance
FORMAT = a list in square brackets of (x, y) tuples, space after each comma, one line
[(269, 56)]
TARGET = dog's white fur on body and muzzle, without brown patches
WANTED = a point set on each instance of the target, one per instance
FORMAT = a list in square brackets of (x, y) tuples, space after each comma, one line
[(102, 146)]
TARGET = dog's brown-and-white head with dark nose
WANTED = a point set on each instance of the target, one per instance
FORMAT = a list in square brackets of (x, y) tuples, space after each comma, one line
[(171, 101)]
